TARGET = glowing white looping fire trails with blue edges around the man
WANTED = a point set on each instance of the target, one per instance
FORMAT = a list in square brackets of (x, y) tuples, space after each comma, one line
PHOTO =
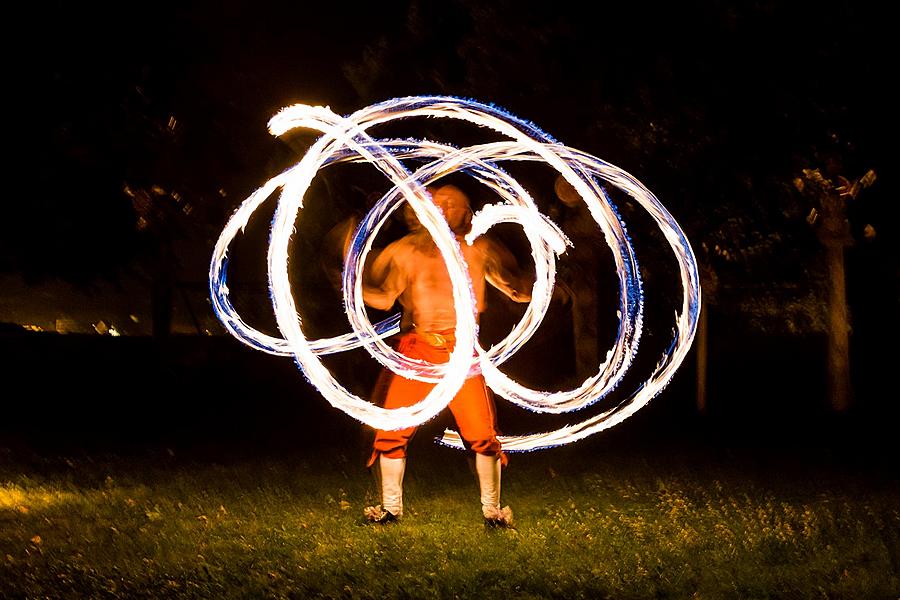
[(346, 139)]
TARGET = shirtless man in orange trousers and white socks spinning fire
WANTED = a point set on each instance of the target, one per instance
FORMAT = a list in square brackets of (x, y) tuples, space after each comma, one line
[(412, 272)]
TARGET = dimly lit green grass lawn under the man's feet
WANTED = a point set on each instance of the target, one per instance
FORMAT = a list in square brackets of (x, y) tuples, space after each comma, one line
[(592, 523)]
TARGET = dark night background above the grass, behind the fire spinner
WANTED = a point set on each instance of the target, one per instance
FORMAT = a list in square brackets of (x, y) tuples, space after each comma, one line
[(138, 130)]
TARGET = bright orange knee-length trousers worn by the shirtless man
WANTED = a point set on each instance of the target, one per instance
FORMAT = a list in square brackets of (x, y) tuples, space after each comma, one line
[(472, 407)]
